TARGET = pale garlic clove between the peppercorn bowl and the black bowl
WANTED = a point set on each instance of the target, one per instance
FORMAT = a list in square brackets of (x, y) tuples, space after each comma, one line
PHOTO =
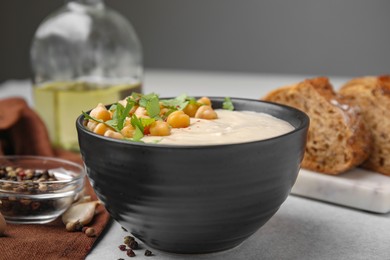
[(82, 212)]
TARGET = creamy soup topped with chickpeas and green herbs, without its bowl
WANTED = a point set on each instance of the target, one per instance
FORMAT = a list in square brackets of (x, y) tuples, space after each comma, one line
[(181, 121)]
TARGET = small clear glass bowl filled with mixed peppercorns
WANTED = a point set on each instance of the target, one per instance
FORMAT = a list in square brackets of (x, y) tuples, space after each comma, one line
[(36, 189)]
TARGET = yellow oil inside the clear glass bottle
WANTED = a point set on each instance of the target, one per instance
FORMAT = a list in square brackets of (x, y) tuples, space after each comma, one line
[(60, 103)]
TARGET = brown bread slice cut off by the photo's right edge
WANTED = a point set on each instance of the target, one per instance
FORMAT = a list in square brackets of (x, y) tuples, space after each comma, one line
[(372, 94)]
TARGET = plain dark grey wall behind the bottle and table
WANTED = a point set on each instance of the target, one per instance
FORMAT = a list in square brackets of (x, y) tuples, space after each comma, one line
[(341, 38)]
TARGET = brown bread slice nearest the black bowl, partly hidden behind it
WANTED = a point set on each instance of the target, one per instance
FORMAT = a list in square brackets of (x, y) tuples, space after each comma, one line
[(337, 139)]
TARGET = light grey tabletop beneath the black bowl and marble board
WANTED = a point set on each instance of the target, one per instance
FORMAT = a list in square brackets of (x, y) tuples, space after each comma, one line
[(301, 229)]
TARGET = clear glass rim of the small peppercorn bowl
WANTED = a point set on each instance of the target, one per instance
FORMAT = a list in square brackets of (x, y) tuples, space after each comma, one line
[(79, 176)]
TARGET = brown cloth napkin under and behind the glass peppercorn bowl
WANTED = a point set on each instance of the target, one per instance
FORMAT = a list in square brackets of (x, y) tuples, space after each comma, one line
[(22, 132)]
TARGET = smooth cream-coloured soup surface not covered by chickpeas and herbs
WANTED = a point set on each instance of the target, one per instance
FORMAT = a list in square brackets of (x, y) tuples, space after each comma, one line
[(229, 127)]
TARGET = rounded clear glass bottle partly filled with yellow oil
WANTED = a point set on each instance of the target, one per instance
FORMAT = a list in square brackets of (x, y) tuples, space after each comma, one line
[(81, 55)]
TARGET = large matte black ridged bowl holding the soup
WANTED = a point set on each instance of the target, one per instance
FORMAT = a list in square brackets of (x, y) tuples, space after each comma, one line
[(196, 199)]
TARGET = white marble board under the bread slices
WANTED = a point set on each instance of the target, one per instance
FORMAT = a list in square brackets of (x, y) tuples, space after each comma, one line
[(357, 188)]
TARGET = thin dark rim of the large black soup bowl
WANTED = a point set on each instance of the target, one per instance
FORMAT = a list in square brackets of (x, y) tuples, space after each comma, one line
[(304, 118)]
